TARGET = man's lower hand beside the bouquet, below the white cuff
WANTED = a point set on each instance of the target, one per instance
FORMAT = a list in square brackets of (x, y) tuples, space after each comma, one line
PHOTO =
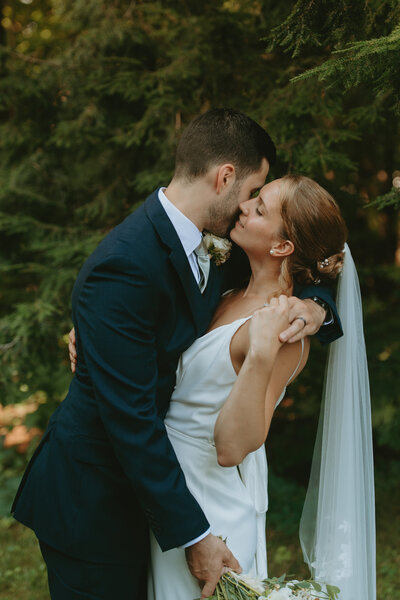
[(207, 560)]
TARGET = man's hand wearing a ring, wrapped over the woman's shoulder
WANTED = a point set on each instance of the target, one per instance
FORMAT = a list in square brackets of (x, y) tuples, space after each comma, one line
[(305, 316)]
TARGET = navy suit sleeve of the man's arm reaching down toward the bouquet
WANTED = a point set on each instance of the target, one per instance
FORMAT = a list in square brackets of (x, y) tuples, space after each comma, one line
[(115, 316)]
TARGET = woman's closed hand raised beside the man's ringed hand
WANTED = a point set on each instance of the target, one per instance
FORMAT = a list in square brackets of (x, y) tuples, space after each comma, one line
[(266, 325)]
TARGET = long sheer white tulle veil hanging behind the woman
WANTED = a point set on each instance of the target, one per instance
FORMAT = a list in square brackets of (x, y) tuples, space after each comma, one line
[(337, 528)]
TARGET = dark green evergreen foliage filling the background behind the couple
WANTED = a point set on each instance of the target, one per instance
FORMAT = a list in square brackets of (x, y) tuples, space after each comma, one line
[(93, 97)]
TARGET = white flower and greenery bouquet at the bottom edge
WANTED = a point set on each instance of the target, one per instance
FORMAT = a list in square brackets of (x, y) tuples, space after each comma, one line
[(244, 587)]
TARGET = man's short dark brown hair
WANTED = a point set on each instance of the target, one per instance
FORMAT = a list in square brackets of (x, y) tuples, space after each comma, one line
[(222, 135)]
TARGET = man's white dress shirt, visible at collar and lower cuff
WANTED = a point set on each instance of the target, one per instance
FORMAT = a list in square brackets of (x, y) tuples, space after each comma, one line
[(190, 238)]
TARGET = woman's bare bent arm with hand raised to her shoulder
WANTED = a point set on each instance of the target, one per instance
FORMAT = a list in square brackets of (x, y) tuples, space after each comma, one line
[(243, 423)]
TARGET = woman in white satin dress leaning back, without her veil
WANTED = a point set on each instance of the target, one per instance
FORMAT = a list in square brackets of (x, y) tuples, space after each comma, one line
[(232, 378)]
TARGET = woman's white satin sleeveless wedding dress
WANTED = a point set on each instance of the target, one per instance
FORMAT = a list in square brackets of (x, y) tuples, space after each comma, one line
[(234, 499)]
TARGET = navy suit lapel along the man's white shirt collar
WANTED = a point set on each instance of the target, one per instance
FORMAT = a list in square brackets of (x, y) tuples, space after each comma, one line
[(177, 256)]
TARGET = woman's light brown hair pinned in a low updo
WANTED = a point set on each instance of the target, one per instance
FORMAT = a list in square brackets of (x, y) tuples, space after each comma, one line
[(312, 221)]
